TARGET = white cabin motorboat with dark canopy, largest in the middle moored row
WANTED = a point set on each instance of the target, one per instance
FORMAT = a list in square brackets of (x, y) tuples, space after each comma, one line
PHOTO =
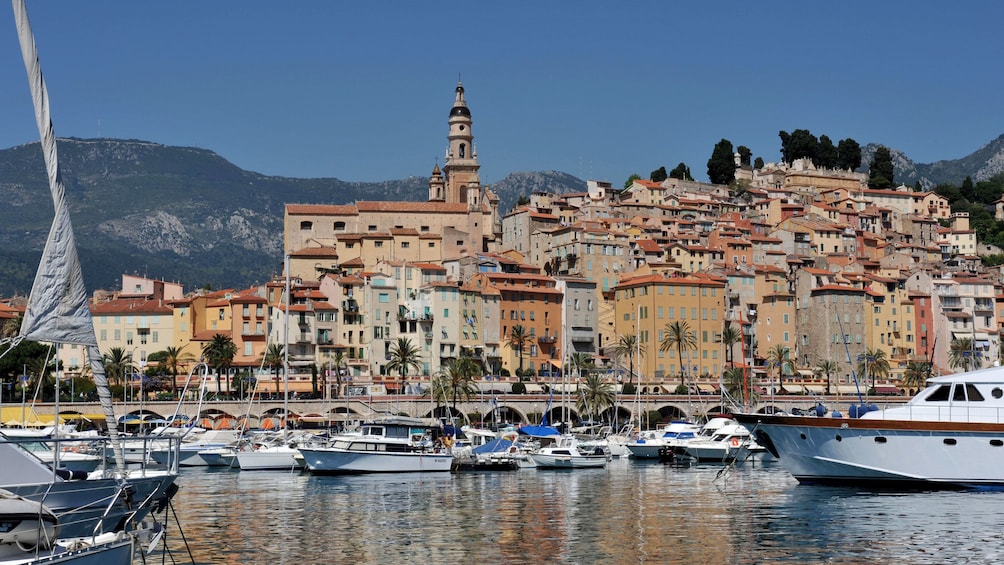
[(390, 445)]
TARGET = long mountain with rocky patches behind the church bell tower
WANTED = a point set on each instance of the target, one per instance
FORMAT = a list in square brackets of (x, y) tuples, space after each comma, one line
[(177, 214)]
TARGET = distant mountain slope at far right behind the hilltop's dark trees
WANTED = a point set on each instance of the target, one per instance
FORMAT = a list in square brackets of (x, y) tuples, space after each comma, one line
[(983, 164)]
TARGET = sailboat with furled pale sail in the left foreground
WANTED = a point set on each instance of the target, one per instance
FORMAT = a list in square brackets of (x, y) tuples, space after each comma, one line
[(112, 500)]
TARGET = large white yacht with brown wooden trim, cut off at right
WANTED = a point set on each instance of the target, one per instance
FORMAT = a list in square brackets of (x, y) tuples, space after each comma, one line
[(950, 435)]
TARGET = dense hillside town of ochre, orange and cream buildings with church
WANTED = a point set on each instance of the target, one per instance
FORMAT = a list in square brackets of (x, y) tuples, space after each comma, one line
[(798, 276)]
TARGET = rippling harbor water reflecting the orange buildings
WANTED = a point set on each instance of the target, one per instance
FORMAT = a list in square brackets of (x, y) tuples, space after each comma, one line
[(630, 512)]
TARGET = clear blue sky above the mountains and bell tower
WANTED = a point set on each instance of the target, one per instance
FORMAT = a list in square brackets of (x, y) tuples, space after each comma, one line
[(362, 91)]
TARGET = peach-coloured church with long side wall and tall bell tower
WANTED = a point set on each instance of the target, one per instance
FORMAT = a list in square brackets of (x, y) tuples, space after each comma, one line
[(460, 217)]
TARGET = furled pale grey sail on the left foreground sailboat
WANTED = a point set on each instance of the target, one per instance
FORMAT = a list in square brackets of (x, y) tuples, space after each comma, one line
[(58, 309)]
